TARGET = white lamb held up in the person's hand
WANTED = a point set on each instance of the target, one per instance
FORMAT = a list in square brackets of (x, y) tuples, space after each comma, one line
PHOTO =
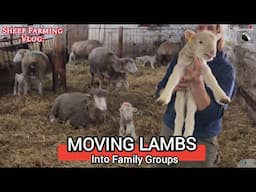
[(203, 45)]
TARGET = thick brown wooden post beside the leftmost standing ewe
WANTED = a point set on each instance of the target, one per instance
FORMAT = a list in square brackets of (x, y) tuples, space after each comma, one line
[(58, 60)]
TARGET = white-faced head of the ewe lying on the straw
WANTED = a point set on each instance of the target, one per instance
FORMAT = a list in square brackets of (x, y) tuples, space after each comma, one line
[(99, 96)]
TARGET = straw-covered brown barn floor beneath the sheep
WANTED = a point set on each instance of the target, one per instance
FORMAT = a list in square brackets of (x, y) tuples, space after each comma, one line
[(27, 139)]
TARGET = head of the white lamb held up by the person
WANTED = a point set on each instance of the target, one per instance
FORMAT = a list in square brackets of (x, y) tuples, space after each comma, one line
[(204, 43)]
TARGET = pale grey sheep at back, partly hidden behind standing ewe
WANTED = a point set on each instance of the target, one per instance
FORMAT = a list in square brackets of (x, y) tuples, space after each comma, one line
[(81, 50)]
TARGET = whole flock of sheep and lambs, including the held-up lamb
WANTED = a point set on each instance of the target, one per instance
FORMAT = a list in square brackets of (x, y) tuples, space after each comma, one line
[(81, 109)]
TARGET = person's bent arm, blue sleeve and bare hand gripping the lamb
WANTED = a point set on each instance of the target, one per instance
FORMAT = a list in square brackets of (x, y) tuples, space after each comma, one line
[(207, 108)]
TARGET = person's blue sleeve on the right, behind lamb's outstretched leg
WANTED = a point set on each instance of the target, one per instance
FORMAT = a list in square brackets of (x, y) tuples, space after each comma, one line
[(214, 111)]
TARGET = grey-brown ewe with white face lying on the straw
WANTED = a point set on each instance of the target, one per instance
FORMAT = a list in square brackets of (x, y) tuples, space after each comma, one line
[(80, 109)]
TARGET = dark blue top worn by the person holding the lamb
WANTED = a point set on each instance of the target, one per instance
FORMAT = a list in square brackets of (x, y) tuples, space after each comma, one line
[(208, 122)]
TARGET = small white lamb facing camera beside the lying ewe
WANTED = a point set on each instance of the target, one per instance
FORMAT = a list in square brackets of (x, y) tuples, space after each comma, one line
[(126, 120)]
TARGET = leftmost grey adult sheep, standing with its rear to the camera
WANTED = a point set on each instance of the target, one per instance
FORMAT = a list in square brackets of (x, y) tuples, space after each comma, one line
[(33, 66)]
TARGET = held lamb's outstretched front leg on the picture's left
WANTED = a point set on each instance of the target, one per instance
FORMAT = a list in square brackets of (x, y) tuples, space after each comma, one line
[(173, 80)]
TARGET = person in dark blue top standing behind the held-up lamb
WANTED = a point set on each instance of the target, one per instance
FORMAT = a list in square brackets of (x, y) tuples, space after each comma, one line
[(209, 106)]
